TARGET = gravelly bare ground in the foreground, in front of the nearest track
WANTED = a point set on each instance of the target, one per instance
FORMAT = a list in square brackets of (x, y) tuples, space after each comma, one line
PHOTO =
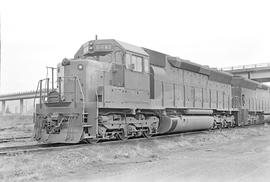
[(240, 154)]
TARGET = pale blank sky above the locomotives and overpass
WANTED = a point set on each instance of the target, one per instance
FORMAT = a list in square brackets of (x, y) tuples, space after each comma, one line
[(37, 33)]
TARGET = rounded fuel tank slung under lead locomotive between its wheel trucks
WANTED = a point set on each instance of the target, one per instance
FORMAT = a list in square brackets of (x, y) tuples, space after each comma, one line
[(172, 124)]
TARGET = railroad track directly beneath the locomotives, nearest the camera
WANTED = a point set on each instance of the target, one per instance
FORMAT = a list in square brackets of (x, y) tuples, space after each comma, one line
[(58, 147)]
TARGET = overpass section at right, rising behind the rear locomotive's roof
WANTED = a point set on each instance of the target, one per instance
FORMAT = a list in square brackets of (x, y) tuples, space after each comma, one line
[(257, 72)]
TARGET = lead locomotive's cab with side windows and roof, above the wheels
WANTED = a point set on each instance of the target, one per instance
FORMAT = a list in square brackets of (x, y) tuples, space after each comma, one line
[(127, 64)]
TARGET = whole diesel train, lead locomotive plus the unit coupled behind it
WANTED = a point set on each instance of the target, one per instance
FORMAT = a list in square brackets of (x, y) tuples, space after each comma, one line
[(112, 89)]
